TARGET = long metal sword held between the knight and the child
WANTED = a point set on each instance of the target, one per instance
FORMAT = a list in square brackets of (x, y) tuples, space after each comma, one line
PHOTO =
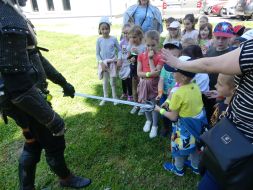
[(148, 106)]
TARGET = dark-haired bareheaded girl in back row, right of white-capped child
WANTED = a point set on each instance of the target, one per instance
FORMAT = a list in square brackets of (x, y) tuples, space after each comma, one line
[(189, 30)]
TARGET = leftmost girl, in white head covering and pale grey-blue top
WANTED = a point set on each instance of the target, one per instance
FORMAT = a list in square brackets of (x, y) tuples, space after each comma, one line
[(106, 48)]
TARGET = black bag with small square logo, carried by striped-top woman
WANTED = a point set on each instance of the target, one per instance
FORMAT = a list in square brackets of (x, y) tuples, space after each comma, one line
[(228, 156)]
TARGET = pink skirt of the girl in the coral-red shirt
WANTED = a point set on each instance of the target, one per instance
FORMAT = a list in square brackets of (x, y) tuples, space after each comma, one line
[(147, 89)]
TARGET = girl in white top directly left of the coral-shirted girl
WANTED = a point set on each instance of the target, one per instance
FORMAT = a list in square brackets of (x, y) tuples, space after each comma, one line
[(135, 47)]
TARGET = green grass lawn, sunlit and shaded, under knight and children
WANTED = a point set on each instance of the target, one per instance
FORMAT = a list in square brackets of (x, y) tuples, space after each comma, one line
[(106, 143)]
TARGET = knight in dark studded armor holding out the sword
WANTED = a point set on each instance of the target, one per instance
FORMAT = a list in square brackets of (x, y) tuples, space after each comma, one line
[(24, 95)]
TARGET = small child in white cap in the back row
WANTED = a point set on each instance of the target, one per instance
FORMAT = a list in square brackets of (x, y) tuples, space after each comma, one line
[(174, 32)]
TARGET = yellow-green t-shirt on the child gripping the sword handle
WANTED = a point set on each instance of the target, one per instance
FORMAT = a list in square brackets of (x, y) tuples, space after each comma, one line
[(187, 100)]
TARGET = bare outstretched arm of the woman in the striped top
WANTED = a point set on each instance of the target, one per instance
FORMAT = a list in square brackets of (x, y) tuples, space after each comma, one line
[(227, 63)]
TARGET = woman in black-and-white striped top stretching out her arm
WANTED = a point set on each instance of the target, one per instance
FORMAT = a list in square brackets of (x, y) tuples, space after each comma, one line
[(238, 62)]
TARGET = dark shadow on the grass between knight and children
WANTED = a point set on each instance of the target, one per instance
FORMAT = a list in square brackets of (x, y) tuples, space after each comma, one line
[(109, 147)]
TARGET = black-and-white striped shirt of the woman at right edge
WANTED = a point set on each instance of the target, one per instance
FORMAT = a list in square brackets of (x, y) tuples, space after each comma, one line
[(241, 109)]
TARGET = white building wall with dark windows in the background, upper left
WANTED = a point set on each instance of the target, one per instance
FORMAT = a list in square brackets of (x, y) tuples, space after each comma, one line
[(79, 8)]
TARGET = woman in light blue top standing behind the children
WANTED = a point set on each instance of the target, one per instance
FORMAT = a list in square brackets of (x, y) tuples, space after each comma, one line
[(145, 15)]
